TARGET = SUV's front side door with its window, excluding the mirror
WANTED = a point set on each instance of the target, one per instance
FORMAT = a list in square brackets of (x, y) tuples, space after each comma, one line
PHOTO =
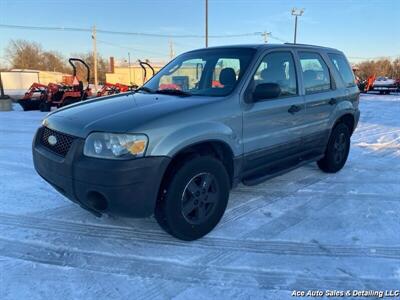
[(272, 127)]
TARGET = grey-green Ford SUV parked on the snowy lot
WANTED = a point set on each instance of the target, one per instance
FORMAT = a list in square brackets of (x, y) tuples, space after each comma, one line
[(240, 114)]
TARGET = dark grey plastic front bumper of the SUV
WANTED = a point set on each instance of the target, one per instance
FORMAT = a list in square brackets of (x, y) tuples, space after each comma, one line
[(126, 188)]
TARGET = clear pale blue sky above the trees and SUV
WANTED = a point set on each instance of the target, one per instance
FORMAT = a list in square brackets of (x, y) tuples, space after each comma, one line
[(362, 29)]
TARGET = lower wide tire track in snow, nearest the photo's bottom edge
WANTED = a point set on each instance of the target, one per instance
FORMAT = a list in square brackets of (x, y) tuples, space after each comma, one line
[(185, 273)]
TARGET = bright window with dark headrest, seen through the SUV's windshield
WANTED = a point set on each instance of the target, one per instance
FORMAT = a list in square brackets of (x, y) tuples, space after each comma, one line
[(226, 72)]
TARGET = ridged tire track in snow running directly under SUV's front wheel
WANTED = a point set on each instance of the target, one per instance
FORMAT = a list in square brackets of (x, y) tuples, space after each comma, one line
[(208, 243)]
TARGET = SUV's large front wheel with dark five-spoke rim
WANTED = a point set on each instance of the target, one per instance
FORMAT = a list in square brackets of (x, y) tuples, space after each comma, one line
[(187, 211)]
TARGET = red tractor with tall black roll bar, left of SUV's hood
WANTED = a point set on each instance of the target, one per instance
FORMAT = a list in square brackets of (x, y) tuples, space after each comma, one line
[(65, 94)]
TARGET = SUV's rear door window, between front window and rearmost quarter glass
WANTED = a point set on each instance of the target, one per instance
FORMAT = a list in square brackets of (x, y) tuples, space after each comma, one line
[(316, 76)]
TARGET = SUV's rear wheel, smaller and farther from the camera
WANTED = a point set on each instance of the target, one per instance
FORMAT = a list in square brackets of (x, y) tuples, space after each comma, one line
[(337, 150)]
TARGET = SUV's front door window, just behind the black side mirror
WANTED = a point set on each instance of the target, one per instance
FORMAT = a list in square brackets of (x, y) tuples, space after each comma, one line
[(278, 67)]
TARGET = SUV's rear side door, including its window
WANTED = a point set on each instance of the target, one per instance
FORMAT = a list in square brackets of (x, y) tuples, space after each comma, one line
[(321, 97)]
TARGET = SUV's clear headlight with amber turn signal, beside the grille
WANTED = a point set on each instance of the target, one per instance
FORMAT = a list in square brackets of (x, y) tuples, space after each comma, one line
[(115, 146)]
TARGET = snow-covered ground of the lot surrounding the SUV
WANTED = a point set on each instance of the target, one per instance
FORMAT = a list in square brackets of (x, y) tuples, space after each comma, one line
[(303, 230)]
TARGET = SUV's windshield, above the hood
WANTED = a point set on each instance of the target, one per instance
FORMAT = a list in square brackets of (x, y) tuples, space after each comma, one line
[(208, 72)]
